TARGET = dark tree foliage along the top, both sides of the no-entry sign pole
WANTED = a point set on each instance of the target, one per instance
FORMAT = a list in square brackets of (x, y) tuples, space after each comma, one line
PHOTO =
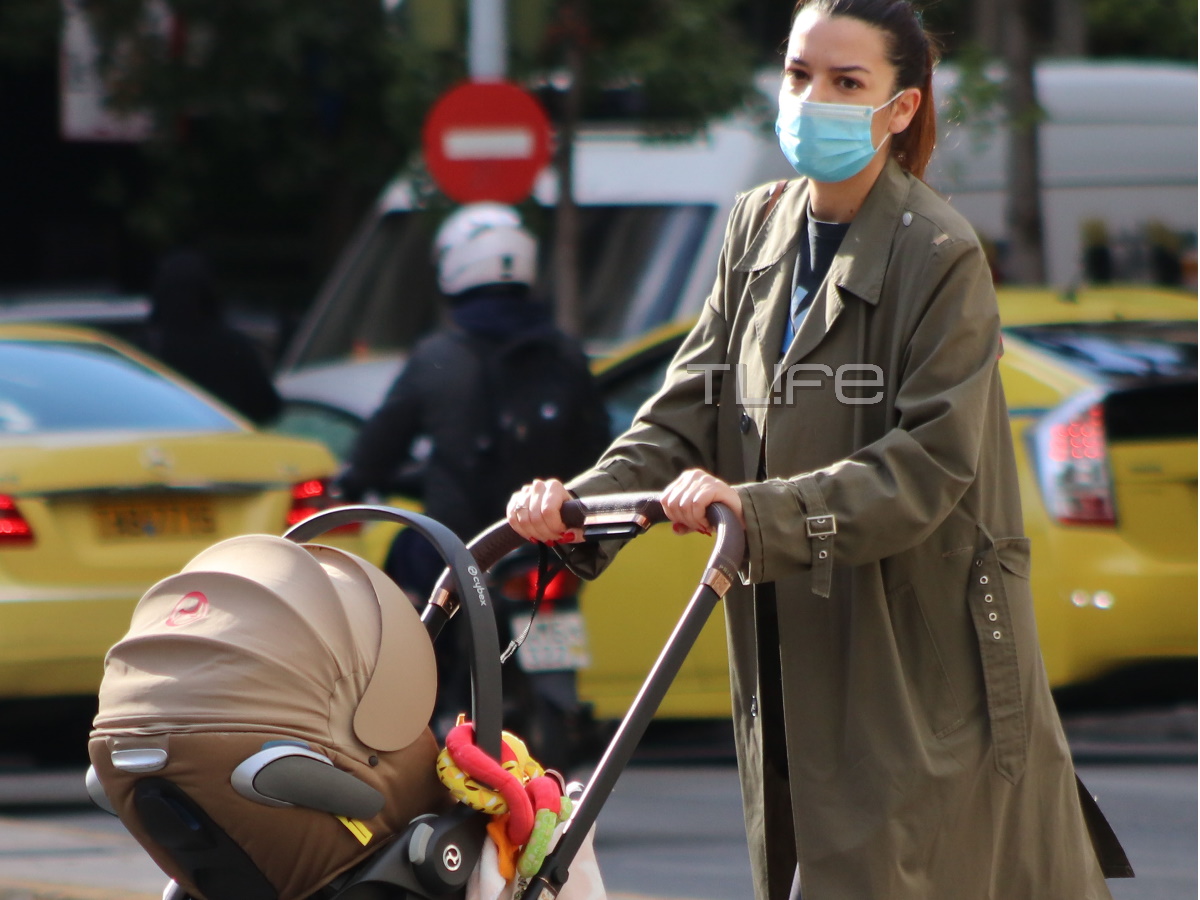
[(284, 109)]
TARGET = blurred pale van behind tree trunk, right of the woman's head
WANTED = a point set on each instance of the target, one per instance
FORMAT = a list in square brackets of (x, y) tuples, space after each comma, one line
[(1118, 146)]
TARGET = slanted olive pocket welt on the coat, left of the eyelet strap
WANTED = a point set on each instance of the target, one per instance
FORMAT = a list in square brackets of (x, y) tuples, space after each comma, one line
[(923, 669)]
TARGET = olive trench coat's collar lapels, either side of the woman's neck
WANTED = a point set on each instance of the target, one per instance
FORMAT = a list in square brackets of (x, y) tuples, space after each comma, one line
[(859, 267)]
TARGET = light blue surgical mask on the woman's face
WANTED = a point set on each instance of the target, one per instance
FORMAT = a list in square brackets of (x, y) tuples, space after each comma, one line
[(827, 142)]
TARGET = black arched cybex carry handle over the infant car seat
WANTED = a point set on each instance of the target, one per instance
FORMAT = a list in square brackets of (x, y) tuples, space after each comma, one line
[(466, 578)]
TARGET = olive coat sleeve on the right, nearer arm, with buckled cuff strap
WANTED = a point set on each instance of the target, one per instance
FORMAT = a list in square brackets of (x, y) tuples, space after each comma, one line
[(895, 493)]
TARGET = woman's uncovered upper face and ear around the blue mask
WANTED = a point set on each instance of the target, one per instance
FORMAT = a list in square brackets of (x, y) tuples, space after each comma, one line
[(839, 59)]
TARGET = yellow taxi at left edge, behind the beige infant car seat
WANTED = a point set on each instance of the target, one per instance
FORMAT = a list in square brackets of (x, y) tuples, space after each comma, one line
[(115, 472)]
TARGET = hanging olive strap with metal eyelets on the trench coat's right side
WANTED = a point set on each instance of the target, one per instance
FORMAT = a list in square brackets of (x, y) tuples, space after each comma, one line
[(995, 563)]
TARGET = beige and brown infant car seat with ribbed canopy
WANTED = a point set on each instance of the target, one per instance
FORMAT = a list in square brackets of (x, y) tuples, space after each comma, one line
[(263, 725)]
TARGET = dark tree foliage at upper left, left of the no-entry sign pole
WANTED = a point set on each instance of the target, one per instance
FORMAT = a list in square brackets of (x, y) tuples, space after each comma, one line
[(265, 109)]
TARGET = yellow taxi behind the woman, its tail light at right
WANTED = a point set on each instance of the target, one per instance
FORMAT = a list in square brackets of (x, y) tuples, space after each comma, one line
[(1102, 394)]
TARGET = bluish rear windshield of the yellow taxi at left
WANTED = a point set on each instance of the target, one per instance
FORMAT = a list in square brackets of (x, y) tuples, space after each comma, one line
[(61, 387)]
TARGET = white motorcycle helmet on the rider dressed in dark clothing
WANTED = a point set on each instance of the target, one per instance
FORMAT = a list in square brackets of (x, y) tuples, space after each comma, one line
[(484, 244)]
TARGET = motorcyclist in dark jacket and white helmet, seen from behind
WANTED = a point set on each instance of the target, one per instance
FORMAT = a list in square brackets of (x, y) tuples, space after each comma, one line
[(443, 405)]
